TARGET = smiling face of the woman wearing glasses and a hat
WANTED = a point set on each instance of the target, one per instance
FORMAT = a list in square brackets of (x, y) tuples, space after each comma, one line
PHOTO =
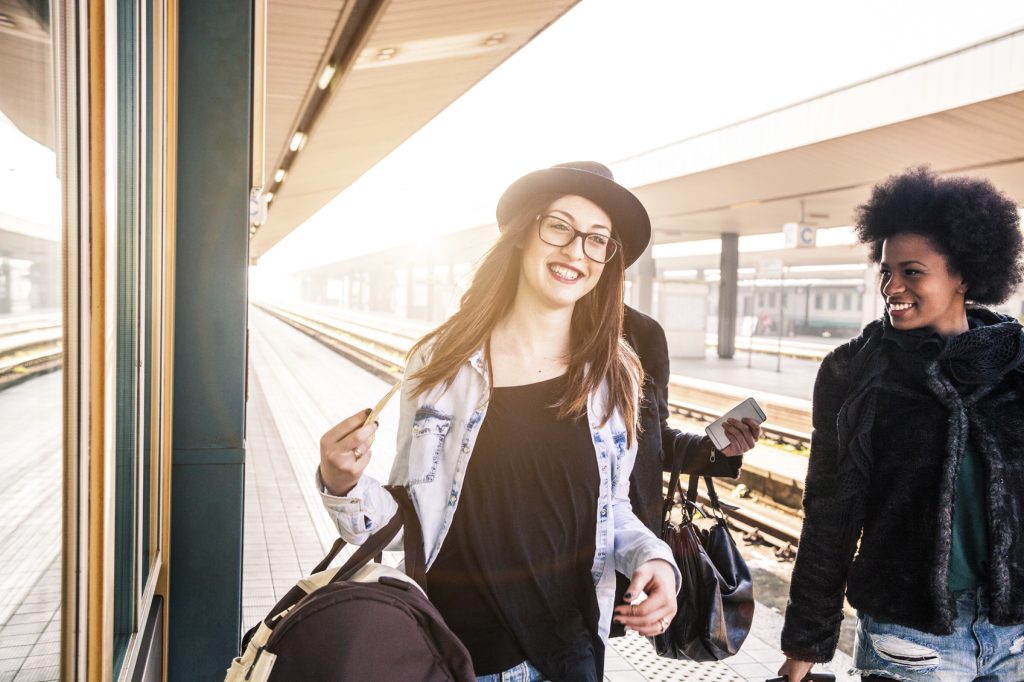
[(559, 277)]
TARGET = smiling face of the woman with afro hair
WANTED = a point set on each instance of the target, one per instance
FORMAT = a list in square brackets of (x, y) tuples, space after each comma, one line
[(919, 288)]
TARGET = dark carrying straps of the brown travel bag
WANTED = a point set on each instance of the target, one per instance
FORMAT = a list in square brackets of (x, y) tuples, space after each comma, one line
[(413, 543)]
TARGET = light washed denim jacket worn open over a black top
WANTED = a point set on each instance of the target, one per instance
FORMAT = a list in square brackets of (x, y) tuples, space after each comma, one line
[(437, 436)]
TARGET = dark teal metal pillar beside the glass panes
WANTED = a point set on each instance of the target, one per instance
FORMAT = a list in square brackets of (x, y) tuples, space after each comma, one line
[(216, 56)]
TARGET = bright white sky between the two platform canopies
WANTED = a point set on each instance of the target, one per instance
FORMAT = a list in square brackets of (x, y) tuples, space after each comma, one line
[(613, 79)]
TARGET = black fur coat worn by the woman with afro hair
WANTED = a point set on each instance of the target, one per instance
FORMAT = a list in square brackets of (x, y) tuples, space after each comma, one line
[(892, 413)]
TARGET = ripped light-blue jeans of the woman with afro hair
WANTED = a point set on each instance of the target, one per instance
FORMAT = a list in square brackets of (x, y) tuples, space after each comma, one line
[(976, 650)]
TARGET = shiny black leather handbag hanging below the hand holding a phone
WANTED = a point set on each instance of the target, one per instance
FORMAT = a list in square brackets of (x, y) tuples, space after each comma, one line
[(716, 603)]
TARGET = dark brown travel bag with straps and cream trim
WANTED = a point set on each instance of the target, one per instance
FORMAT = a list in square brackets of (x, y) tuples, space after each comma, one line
[(361, 626)]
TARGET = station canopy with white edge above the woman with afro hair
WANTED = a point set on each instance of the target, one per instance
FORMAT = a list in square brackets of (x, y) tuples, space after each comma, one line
[(815, 161)]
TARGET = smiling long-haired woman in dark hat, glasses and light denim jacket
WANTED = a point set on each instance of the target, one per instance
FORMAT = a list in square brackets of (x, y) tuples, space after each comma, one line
[(519, 434)]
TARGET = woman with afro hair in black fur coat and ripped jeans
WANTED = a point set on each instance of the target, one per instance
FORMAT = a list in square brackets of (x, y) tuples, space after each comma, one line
[(918, 451)]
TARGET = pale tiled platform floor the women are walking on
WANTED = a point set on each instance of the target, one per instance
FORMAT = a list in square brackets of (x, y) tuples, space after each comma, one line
[(298, 390)]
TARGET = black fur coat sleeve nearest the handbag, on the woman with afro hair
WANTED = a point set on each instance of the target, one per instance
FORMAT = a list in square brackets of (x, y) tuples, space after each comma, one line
[(833, 519)]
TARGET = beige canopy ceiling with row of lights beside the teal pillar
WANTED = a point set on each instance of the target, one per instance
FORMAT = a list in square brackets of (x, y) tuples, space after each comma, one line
[(396, 66)]
